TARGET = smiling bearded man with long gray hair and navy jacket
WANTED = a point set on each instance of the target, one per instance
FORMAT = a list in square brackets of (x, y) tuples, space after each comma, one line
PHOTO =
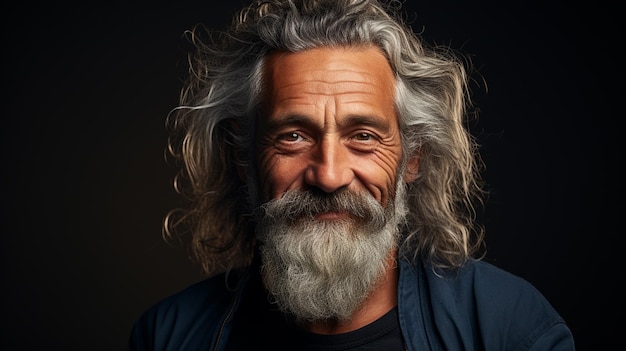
[(331, 186)]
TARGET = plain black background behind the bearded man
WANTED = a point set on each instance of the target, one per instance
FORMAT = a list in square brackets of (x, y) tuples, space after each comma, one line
[(86, 89)]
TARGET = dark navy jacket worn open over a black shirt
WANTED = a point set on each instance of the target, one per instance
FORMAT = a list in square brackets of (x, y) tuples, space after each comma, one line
[(480, 307)]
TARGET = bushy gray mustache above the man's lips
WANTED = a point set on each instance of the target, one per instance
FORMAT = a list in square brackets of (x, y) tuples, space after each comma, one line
[(306, 204)]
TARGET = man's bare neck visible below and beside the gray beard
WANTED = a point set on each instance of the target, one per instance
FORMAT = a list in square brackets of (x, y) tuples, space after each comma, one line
[(381, 300)]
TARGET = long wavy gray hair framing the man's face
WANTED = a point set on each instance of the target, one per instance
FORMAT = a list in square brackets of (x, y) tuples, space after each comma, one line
[(212, 130)]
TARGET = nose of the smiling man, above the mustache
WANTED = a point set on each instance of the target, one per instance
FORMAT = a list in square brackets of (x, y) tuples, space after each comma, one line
[(330, 168)]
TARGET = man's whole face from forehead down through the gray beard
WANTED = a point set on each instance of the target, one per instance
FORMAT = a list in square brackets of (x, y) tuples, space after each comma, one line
[(332, 202)]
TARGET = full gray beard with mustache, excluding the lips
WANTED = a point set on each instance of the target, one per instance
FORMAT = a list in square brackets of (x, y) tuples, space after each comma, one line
[(321, 270)]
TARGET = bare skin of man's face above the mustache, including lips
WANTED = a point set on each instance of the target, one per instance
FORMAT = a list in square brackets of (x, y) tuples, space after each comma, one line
[(329, 122)]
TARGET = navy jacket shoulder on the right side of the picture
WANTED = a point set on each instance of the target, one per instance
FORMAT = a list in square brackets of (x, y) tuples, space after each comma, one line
[(481, 306)]
